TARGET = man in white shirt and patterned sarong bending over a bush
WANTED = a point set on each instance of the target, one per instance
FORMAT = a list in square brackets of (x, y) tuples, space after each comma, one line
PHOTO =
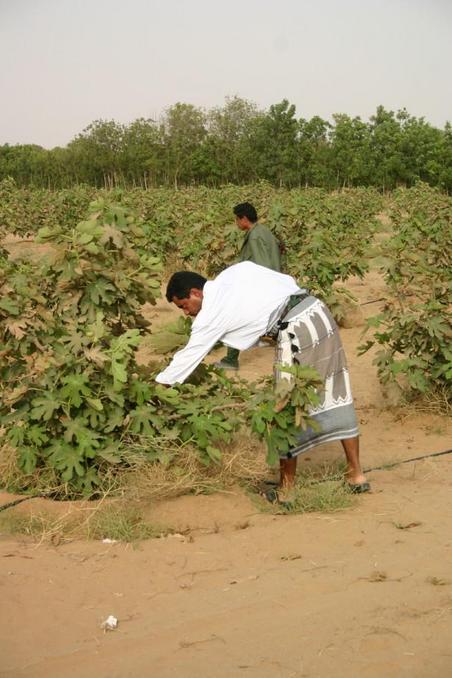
[(247, 301)]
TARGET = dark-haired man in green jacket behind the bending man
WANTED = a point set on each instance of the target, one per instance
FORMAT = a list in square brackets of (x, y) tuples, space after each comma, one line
[(259, 246)]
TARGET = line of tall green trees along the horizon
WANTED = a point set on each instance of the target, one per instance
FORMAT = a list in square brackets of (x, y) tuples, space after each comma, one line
[(239, 143)]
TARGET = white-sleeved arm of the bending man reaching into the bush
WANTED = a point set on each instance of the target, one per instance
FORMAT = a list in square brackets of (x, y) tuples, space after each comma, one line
[(202, 340)]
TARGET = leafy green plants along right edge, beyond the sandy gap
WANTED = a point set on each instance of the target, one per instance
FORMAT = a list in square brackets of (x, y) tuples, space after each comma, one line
[(414, 329)]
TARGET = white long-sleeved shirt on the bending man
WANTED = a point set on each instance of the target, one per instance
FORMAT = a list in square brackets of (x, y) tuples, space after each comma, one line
[(238, 307)]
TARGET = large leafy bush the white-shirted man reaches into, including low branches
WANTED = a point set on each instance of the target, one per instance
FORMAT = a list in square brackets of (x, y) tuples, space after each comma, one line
[(74, 397)]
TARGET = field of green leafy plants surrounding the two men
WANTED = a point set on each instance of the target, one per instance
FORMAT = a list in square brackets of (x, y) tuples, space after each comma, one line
[(78, 266)]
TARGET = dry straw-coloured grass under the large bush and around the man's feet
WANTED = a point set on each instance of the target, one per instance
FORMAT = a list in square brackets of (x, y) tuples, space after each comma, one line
[(118, 514)]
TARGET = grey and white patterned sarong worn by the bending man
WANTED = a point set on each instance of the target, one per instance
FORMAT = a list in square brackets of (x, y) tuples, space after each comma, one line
[(310, 336)]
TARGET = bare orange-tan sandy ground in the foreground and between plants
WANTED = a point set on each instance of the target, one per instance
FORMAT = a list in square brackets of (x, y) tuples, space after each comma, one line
[(366, 591)]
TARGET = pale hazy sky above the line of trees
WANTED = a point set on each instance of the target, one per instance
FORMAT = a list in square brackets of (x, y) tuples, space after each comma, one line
[(65, 63)]
